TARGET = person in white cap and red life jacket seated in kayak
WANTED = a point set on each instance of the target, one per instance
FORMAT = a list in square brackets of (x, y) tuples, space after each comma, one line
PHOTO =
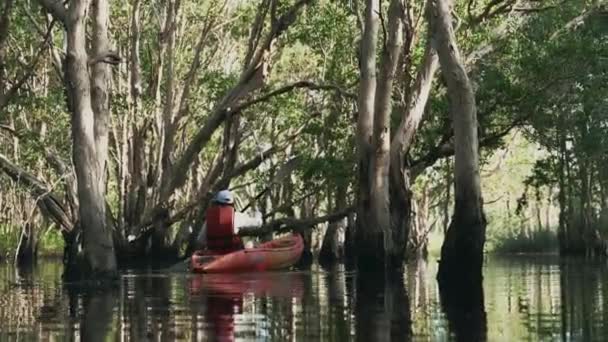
[(219, 233)]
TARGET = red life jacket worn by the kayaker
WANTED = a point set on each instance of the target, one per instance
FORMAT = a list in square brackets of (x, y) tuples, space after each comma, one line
[(220, 230)]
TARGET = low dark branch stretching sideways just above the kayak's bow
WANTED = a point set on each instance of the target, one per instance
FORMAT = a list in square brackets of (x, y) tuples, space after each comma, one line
[(290, 224)]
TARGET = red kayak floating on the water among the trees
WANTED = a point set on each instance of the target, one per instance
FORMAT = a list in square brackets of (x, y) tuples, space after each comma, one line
[(276, 254)]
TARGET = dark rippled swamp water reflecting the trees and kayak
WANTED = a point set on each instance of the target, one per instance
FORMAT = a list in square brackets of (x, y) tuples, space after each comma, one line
[(526, 298)]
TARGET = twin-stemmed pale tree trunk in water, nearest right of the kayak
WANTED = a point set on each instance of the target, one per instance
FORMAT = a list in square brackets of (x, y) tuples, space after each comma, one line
[(374, 235)]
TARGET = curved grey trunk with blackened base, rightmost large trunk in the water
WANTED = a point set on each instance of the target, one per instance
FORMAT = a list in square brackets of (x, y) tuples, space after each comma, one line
[(462, 250)]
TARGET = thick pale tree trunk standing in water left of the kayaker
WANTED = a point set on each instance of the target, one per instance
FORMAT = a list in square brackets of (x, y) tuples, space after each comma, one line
[(88, 140)]
